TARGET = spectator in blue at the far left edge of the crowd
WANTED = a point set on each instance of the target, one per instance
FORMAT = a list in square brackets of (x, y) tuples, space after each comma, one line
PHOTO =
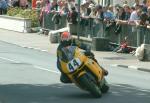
[(3, 7)]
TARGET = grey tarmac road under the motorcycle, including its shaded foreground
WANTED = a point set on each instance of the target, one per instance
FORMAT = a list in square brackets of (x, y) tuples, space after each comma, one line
[(30, 76)]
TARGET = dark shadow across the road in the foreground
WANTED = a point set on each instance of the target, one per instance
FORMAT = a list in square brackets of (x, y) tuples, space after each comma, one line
[(60, 93)]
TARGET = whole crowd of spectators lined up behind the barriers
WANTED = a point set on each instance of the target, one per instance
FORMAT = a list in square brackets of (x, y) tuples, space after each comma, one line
[(138, 14)]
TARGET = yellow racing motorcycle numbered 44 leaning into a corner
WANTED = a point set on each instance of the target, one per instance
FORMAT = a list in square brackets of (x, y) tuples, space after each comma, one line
[(83, 71)]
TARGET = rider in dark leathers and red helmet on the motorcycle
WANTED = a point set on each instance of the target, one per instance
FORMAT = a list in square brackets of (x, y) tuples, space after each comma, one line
[(66, 40)]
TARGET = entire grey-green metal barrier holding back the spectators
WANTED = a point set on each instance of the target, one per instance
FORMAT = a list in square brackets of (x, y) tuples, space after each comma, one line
[(94, 27)]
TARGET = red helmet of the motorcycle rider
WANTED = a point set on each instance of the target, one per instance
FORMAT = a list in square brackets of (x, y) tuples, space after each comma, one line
[(65, 38)]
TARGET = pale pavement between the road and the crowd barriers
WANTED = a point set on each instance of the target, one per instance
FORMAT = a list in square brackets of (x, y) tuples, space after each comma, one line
[(41, 42)]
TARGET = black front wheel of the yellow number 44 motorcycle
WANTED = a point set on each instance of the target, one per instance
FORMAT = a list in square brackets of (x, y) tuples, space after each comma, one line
[(87, 83)]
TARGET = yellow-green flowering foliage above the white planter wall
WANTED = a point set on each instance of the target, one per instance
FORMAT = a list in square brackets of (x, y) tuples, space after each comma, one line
[(25, 13)]
